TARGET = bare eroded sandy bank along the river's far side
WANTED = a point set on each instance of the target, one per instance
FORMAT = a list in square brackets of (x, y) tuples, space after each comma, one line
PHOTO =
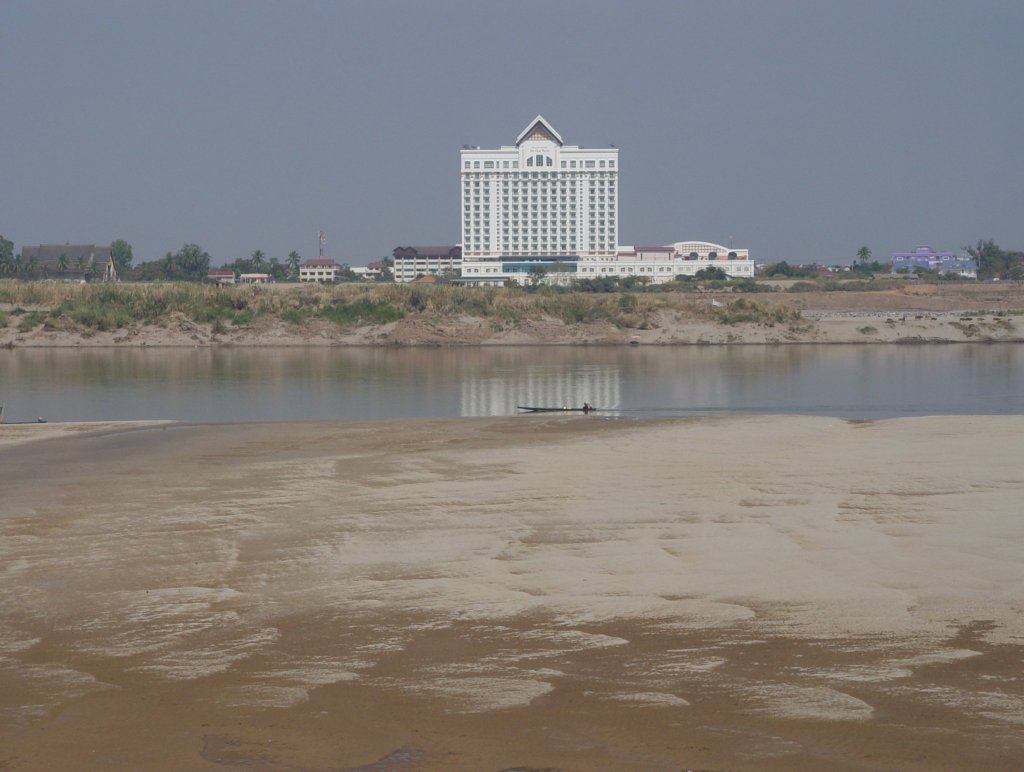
[(912, 314)]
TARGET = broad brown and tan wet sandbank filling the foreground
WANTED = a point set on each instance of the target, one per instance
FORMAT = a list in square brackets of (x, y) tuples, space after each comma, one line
[(569, 593)]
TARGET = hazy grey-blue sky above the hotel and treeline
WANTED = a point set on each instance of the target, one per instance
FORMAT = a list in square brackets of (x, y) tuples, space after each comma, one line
[(801, 131)]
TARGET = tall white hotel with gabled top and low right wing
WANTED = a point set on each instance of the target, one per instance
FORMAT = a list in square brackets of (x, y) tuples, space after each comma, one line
[(541, 205)]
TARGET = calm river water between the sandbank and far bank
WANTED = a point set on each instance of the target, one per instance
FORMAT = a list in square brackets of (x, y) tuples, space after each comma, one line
[(240, 384)]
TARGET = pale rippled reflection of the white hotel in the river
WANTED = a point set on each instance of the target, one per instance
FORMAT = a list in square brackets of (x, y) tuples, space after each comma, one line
[(600, 385)]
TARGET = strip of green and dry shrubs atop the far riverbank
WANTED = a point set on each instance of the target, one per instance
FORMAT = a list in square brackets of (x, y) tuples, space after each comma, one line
[(113, 308)]
